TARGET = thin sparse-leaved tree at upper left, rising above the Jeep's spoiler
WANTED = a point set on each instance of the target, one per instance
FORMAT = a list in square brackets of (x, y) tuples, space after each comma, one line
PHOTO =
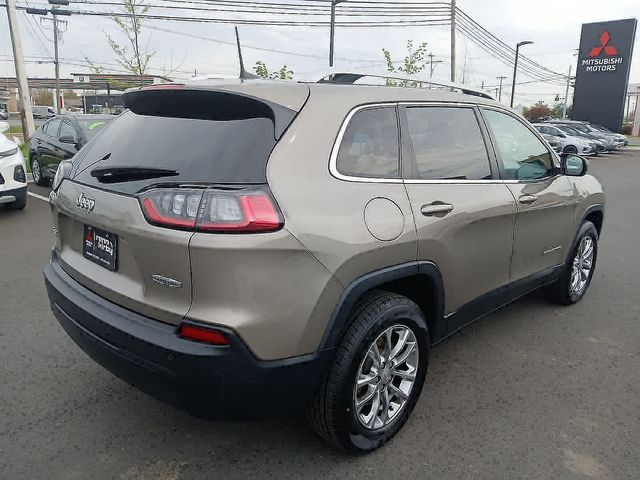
[(133, 57)]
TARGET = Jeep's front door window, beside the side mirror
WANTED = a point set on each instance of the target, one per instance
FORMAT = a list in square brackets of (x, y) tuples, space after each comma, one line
[(523, 155)]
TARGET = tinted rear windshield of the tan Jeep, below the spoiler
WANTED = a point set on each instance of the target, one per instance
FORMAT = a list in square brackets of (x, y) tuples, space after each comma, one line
[(222, 145)]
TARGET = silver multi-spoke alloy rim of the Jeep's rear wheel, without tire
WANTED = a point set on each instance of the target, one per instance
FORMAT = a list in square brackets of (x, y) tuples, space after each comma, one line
[(386, 377)]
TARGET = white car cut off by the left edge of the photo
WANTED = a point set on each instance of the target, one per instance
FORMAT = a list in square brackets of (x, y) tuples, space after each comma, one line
[(13, 174)]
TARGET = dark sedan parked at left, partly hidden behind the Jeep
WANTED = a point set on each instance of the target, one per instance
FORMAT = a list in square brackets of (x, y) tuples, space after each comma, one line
[(58, 139)]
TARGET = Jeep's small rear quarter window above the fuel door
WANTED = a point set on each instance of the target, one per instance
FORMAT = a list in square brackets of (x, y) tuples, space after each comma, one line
[(369, 146)]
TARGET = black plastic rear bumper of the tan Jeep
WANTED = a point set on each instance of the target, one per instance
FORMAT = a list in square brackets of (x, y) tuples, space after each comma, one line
[(204, 379)]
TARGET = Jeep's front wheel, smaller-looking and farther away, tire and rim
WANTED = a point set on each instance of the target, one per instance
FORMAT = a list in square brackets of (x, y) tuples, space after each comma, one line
[(575, 279)]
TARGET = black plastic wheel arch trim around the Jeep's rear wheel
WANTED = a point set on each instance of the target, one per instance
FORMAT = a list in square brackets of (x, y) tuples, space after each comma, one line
[(337, 323)]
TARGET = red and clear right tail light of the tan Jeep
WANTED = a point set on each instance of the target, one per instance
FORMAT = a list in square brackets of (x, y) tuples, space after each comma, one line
[(212, 210)]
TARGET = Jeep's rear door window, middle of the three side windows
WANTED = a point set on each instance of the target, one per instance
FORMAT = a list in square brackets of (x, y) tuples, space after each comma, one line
[(446, 143)]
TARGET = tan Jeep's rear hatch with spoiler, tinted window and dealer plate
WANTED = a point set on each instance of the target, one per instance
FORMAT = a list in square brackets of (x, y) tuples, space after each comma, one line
[(174, 147)]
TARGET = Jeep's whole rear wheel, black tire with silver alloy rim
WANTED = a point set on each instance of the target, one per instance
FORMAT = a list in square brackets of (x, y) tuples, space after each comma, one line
[(339, 410)]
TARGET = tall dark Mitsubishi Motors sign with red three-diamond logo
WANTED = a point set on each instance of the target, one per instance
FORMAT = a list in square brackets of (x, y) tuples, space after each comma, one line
[(604, 60)]
